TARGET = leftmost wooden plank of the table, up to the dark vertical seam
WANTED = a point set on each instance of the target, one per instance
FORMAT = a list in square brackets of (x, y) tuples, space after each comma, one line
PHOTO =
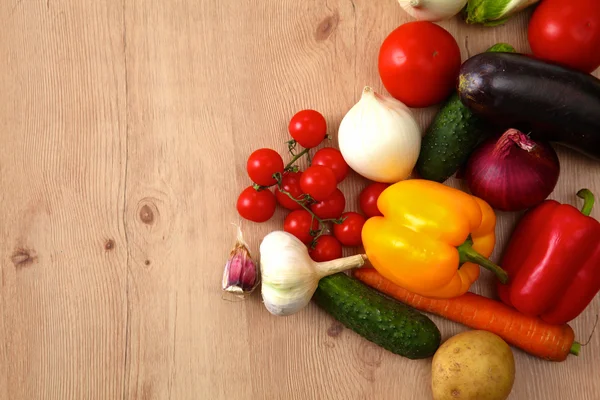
[(62, 181)]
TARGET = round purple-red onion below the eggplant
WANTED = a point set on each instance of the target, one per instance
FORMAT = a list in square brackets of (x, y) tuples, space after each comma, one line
[(512, 173)]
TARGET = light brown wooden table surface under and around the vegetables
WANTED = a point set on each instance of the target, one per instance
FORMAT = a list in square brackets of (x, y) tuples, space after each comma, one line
[(125, 127)]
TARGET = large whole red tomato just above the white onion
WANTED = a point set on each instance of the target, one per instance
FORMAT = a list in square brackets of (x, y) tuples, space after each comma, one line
[(419, 63)]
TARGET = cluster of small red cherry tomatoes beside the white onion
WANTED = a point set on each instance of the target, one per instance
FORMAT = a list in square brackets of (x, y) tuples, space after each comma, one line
[(315, 202)]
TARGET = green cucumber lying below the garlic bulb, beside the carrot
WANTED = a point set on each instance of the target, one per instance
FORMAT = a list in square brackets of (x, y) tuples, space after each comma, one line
[(379, 319)]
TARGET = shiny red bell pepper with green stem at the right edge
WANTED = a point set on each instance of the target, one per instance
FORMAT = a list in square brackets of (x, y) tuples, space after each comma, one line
[(553, 261)]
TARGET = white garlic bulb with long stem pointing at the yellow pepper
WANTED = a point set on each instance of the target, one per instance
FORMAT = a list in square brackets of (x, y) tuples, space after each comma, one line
[(289, 276)]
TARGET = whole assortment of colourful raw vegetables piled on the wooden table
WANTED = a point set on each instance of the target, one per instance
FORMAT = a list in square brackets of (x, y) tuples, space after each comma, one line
[(500, 114)]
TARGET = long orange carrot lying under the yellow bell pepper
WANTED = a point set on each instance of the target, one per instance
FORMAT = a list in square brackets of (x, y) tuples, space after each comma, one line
[(536, 337)]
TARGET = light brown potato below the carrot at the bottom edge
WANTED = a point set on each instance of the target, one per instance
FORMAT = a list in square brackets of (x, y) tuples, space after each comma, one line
[(473, 365)]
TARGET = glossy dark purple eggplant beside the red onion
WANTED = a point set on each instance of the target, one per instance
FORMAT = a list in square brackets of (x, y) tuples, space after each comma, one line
[(551, 102)]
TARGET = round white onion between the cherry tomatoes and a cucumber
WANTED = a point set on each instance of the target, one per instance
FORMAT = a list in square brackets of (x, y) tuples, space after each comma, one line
[(379, 138)]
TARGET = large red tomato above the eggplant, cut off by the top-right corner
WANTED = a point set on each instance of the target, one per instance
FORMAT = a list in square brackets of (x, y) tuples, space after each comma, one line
[(567, 32)]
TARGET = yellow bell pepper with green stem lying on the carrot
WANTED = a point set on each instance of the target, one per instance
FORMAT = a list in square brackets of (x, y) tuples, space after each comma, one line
[(431, 238)]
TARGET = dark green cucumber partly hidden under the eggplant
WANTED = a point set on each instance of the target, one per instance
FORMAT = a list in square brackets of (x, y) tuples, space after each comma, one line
[(453, 134)]
